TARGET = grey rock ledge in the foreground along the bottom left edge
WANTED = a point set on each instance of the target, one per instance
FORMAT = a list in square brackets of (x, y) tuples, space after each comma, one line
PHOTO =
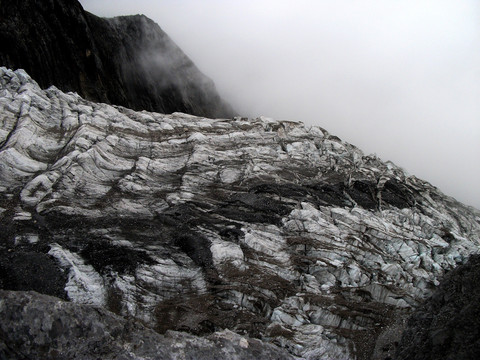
[(36, 326)]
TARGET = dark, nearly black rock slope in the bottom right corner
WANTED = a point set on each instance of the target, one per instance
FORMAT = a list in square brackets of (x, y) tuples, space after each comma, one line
[(447, 326)]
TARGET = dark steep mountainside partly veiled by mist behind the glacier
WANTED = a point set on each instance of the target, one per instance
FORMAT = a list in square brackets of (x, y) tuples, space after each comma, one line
[(127, 61)]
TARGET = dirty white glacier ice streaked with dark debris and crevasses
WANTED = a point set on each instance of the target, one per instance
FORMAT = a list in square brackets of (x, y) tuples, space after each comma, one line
[(270, 229)]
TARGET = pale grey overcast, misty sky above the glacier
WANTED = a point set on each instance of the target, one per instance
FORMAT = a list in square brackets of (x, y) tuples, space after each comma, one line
[(399, 78)]
